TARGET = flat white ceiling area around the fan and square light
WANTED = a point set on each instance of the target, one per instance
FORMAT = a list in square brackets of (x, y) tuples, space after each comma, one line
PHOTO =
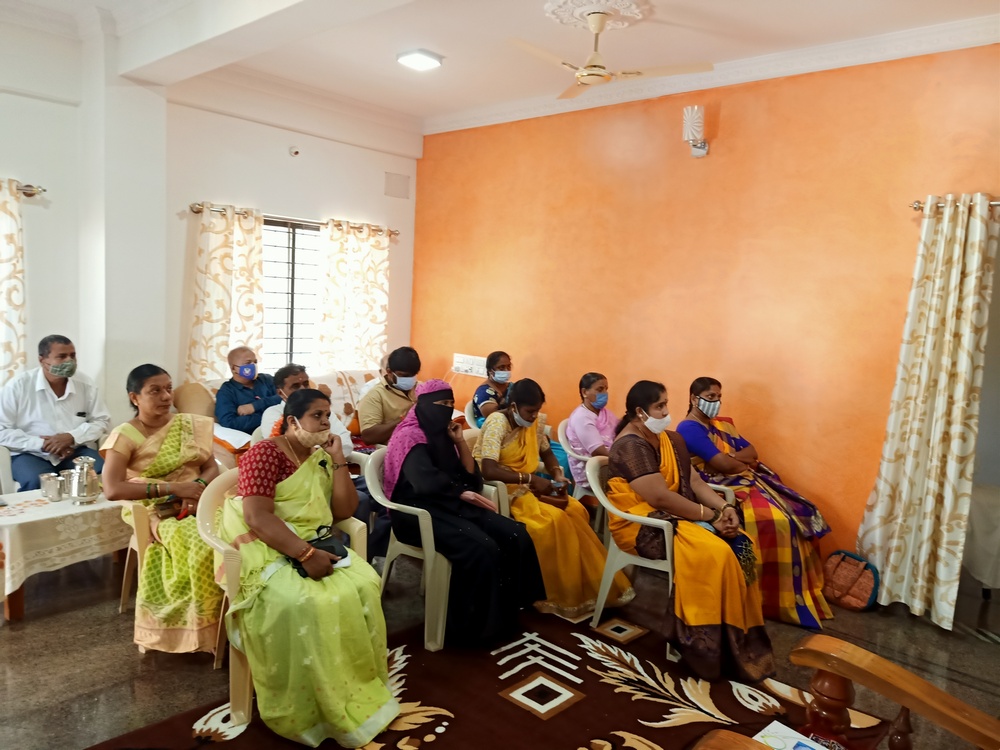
[(483, 68)]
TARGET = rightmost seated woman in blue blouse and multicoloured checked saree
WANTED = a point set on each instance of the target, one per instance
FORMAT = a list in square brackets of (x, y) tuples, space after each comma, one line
[(784, 526)]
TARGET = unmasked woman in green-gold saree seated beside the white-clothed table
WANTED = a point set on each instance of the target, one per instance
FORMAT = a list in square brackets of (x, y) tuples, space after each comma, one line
[(155, 456)]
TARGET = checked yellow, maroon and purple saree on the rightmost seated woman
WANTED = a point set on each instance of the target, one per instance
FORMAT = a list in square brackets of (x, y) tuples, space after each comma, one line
[(785, 528)]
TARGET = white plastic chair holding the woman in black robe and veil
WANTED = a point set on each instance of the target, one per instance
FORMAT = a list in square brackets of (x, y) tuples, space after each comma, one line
[(436, 577)]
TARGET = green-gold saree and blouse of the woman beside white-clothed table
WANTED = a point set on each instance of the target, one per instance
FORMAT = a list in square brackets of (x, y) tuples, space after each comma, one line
[(178, 601)]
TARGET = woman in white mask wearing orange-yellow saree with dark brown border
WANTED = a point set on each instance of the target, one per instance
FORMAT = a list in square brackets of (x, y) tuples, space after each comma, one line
[(714, 615)]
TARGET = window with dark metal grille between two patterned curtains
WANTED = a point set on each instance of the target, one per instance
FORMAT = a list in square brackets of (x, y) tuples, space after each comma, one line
[(291, 294)]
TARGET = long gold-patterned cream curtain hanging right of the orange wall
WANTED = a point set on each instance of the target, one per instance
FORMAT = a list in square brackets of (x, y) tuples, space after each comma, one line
[(915, 520)]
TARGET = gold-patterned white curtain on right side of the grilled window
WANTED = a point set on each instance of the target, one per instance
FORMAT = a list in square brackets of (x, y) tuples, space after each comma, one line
[(354, 297)]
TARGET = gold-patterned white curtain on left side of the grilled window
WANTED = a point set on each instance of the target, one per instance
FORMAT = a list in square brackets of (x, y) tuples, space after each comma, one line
[(228, 290)]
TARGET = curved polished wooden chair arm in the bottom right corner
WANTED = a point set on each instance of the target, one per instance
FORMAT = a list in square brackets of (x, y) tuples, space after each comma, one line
[(899, 685)]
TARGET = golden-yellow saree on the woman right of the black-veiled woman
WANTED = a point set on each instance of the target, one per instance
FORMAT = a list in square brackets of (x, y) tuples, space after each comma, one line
[(569, 552)]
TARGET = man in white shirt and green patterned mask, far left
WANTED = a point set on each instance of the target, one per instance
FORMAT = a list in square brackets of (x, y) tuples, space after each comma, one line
[(51, 415)]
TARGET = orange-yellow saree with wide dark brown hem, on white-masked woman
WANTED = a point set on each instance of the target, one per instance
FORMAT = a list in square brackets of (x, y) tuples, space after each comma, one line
[(715, 620)]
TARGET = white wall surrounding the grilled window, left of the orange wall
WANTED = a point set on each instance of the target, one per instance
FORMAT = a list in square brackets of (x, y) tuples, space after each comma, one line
[(227, 160)]
